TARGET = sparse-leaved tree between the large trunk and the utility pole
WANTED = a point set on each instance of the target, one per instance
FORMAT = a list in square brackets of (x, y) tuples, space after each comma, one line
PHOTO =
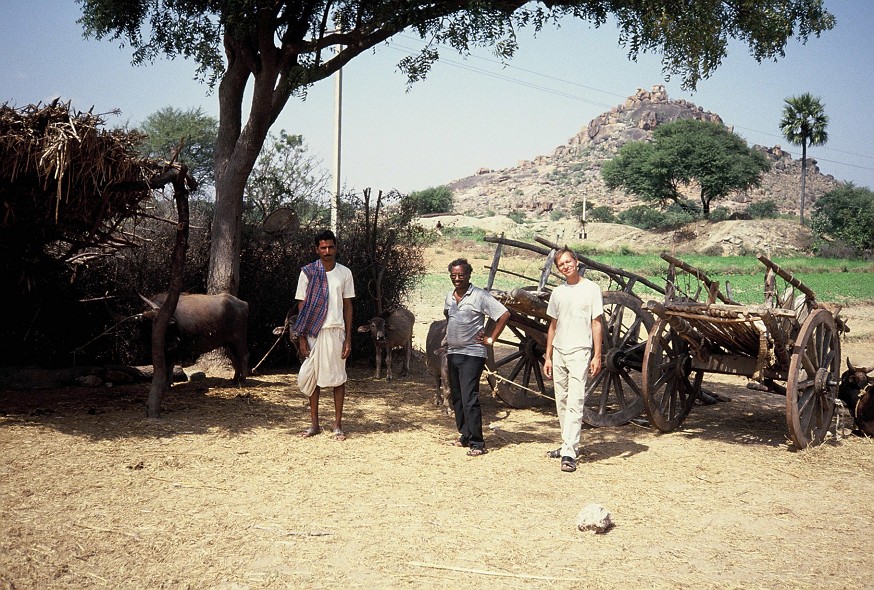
[(285, 175)]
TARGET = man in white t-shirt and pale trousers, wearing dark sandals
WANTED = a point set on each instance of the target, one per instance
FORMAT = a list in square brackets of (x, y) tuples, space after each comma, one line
[(573, 350)]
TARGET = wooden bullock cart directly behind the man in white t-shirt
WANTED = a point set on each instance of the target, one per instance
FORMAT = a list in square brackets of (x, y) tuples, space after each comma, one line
[(516, 364)]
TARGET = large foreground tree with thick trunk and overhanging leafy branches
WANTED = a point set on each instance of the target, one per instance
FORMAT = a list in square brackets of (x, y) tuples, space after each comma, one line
[(270, 51)]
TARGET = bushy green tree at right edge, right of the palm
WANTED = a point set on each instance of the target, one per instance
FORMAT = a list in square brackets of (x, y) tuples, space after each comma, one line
[(846, 214)]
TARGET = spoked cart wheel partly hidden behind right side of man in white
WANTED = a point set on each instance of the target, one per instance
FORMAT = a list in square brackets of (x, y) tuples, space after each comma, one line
[(614, 396)]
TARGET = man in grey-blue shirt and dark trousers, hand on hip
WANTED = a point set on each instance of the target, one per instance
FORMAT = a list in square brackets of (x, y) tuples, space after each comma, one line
[(466, 308)]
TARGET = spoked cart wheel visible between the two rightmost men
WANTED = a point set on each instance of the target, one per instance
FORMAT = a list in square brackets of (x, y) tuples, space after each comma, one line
[(520, 383)]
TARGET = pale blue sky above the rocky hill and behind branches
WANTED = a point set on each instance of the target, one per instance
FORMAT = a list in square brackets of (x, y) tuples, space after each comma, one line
[(470, 112)]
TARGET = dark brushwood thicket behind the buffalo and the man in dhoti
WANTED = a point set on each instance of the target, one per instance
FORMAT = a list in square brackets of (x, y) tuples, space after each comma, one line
[(269, 266)]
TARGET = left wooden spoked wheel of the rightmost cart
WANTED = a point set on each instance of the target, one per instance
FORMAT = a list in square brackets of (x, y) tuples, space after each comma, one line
[(670, 386)]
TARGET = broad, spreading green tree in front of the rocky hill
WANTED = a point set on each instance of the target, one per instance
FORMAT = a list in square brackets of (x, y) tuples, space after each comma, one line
[(683, 154)]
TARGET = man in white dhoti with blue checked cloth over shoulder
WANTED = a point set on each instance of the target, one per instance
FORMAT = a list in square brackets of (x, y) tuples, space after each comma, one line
[(325, 290)]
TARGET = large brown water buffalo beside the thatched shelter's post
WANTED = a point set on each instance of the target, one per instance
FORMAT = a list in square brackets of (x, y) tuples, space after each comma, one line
[(203, 323)]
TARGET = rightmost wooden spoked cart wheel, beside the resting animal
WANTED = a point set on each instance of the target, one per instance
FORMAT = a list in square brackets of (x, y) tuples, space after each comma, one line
[(812, 386)]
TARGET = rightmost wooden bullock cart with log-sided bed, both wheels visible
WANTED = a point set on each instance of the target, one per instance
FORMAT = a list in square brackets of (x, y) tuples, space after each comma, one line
[(789, 345)]
